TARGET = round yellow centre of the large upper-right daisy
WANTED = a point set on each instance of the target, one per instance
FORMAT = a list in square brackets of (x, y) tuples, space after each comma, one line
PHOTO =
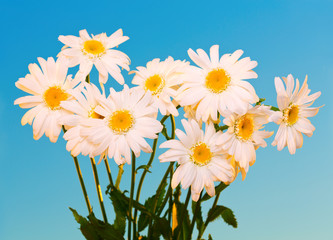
[(217, 80)]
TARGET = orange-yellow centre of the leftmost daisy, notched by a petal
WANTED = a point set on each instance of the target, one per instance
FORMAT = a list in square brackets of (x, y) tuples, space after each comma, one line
[(53, 96)]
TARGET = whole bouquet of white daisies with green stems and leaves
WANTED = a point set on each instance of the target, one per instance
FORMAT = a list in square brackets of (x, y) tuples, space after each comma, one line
[(216, 138)]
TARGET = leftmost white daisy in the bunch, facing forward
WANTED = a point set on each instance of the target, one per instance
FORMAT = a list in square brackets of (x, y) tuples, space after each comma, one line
[(48, 87)]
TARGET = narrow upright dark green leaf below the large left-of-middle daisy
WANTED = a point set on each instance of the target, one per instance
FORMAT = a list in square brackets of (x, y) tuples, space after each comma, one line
[(120, 208)]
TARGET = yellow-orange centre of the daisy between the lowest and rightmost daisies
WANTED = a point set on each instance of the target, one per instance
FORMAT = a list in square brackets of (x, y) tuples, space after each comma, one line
[(244, 127)]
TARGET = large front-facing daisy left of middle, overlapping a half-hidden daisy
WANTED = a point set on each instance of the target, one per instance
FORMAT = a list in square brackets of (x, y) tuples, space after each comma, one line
[(127, 117)]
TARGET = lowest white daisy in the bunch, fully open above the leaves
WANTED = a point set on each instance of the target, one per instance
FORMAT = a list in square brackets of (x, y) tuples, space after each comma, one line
[(201, 162)]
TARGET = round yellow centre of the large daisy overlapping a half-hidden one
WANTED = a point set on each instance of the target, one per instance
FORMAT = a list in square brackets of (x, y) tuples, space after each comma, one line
[(121, 121)]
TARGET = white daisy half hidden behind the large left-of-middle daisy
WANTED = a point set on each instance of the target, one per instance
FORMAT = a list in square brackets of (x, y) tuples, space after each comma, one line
[(83, 108)]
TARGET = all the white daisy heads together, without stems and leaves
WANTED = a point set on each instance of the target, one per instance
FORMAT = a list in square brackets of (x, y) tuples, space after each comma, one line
[(115, 125)]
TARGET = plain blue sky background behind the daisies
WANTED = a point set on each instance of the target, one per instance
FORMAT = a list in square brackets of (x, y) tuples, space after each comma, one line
[(283, 197)]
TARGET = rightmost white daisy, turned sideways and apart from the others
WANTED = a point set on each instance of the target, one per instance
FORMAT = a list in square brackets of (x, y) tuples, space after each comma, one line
[(294, 105)]
